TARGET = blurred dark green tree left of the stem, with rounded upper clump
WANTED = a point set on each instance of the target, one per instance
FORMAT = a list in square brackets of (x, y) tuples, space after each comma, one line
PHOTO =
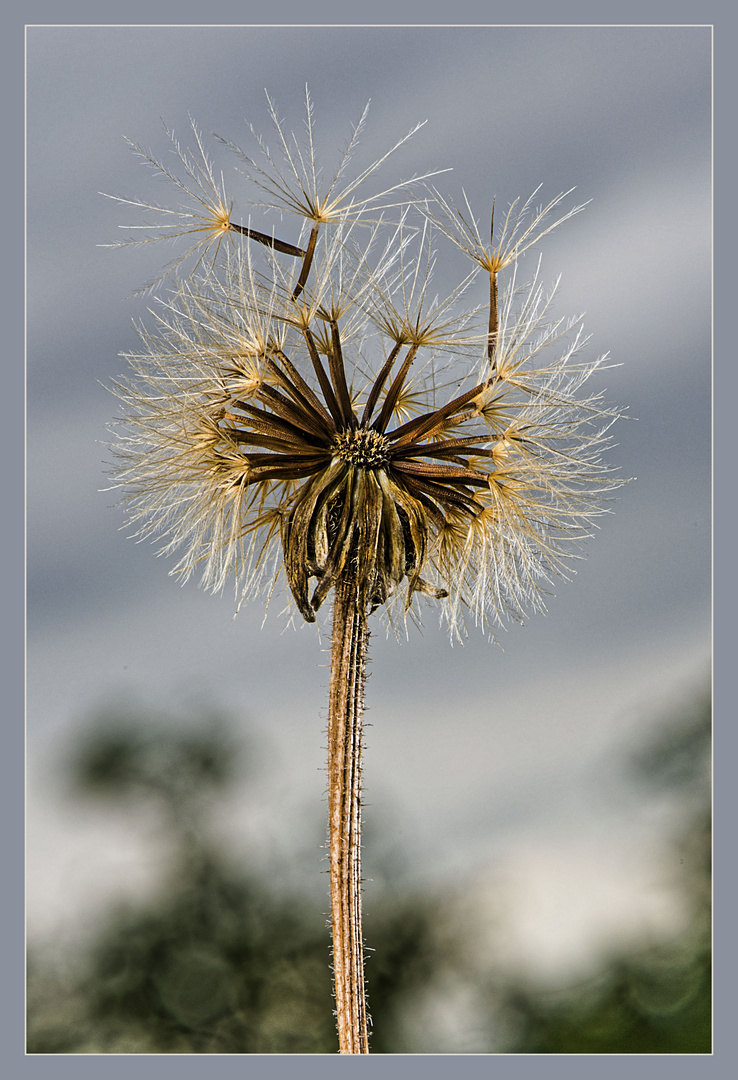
[(218, 965)]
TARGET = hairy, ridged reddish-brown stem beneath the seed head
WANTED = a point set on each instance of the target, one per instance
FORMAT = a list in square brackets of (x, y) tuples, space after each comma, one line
[(346, 707)]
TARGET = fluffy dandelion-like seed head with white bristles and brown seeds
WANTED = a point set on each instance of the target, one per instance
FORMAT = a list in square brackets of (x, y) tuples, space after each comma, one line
[(312, 409)]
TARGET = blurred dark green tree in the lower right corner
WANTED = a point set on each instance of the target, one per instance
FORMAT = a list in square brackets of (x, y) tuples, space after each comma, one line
[(656, 1001)]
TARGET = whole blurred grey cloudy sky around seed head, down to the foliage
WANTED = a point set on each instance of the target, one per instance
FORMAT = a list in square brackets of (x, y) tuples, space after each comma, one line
[(502, 775)]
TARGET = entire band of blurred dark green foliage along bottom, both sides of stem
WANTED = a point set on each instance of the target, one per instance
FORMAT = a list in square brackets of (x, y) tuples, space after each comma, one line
[(219, 964)]
